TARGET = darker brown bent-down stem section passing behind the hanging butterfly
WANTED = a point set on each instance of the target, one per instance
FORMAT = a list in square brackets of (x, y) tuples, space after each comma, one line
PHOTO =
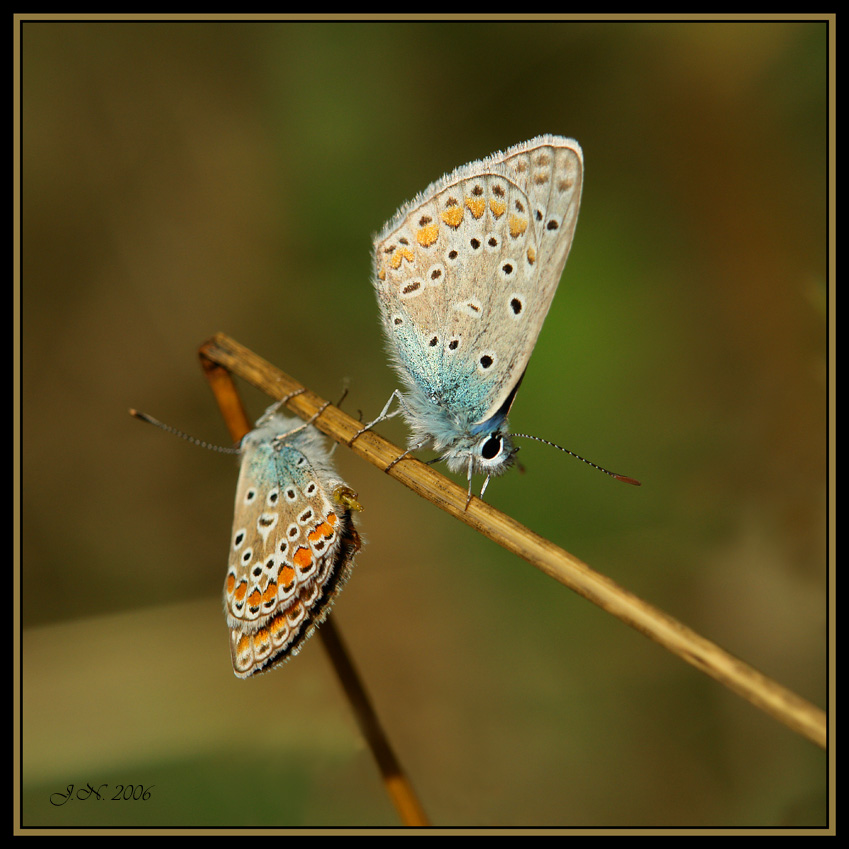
[(395, 780)]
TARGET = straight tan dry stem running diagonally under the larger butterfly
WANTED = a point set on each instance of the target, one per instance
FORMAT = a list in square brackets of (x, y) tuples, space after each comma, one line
[(782, 704)]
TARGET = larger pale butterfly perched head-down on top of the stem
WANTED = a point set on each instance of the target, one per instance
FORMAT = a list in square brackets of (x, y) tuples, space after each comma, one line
[(465, 275)]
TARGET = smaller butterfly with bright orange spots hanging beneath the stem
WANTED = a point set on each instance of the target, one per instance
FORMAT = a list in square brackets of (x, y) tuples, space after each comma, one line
[(291, 549)]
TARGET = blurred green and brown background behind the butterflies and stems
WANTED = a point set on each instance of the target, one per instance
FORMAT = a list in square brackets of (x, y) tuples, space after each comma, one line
[(185, 178)]
